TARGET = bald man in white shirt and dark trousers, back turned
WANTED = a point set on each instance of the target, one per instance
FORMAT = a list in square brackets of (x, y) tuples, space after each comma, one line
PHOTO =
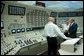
[(51, 31)]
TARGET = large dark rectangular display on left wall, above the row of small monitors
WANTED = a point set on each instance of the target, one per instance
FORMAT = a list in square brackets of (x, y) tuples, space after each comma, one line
[(16, 10)]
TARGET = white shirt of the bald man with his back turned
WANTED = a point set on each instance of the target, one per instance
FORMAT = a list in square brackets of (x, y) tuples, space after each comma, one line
[(53, 30)]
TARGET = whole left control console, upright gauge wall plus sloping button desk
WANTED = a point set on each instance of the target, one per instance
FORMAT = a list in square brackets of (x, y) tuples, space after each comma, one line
[(21, 26)]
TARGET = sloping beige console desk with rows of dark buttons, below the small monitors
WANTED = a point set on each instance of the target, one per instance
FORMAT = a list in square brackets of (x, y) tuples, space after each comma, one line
[(9, 44)]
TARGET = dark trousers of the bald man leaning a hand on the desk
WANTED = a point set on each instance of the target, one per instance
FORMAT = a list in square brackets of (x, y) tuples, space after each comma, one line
[(52, 45)]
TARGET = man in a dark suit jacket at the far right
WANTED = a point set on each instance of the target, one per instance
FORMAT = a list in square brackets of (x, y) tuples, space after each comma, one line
[(72, 28)]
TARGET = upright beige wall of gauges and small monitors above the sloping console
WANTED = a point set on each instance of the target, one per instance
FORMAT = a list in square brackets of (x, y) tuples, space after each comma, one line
[(17, 18)]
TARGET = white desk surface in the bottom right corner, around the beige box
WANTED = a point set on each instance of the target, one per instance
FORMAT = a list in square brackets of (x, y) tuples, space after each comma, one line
[(78, 52)]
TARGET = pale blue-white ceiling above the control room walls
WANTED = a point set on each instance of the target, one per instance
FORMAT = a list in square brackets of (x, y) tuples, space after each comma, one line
[(59, 6)]
